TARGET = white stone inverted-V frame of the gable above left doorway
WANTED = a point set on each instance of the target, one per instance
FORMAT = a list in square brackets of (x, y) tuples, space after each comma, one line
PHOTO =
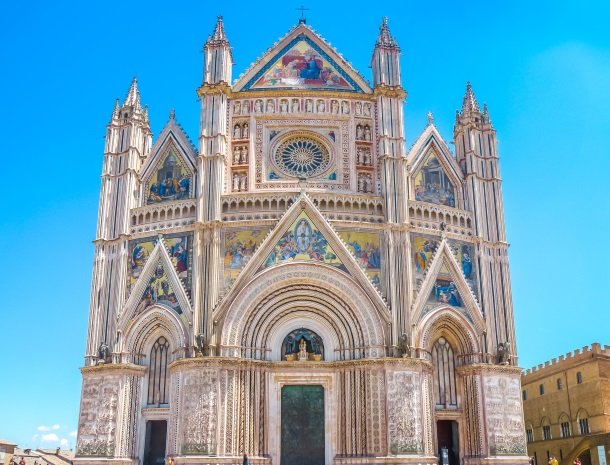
[(159, 257)]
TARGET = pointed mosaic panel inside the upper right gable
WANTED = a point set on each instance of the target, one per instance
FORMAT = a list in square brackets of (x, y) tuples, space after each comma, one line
[(433, 185)]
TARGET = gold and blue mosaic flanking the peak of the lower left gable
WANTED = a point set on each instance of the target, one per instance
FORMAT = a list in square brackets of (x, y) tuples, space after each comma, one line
[(180, 249)]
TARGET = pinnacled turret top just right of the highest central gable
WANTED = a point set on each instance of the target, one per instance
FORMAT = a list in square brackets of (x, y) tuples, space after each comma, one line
[(385, 61)]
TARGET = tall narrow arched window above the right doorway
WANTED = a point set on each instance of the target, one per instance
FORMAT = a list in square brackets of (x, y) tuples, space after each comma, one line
[(444, 374)]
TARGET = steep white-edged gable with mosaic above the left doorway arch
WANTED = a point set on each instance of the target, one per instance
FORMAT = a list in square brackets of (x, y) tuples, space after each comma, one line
[(158, 284)]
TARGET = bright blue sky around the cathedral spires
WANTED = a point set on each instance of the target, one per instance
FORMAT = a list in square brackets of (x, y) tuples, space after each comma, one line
[(542, 67)]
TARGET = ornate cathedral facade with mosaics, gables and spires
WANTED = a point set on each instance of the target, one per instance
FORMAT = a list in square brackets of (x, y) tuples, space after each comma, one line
[(300, 287)]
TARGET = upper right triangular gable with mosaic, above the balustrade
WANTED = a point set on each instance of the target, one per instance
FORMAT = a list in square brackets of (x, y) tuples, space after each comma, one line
[(436, 175)]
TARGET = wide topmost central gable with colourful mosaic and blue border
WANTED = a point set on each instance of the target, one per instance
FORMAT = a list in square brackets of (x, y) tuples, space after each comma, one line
[(302, 60)]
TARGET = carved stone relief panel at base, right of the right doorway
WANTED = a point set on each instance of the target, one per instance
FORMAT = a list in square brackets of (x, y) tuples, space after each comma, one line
[(505, 429)]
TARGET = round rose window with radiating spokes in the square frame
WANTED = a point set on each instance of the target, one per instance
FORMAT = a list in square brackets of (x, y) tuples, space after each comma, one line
[(302, 157)]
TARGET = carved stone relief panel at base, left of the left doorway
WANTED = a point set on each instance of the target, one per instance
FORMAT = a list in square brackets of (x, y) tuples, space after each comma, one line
[(97, 421)]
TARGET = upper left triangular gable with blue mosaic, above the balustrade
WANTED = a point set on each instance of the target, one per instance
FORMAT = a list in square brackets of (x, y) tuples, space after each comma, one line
[(168, 172)]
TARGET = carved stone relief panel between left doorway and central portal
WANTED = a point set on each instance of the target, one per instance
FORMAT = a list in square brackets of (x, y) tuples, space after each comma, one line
[(200, 413)]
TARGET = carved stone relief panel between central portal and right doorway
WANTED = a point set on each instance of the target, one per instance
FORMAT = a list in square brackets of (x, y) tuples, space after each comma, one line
[(404, 419)]
